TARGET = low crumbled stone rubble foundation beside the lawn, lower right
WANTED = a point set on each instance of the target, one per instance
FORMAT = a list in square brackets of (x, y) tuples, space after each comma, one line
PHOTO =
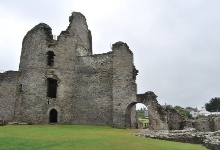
[(210, 140)]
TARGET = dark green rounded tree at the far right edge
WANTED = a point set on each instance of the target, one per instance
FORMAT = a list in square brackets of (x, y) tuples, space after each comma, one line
[(213, 105)]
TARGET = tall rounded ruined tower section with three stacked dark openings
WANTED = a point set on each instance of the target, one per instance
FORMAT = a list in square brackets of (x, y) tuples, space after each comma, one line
[(34, 105)]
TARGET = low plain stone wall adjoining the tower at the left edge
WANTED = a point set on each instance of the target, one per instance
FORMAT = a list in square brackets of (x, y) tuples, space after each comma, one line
[(8, 91)]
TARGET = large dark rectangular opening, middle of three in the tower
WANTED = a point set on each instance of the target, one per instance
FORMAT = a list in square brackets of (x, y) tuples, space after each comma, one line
[(51, 88)]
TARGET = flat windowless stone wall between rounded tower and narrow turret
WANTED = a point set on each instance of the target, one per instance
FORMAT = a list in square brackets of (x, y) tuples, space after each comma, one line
[(93, 94)]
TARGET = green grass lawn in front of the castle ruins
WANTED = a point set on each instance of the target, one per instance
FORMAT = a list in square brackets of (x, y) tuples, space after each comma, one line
[(56, 137)]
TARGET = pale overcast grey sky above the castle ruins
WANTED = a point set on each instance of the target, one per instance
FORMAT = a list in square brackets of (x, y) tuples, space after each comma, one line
[(175, 42)]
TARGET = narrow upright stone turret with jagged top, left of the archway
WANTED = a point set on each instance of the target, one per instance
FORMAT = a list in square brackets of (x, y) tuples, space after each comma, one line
[(124, 86)]
